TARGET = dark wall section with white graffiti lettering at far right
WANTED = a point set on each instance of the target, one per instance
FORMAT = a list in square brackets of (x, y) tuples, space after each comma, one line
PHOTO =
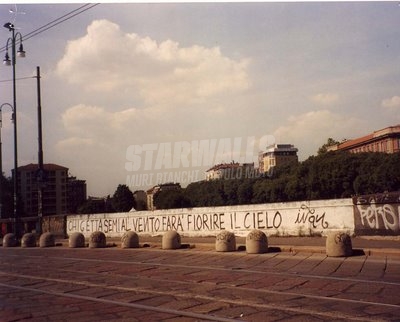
[(377, 214)]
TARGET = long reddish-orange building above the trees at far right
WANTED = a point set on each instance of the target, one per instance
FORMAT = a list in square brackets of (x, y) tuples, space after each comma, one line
[(386, 140)]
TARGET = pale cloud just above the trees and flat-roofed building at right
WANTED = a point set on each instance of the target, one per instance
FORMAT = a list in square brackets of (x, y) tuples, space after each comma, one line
[(310, 130)]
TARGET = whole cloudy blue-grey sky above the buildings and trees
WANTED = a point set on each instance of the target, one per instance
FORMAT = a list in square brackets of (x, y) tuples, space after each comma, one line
[(141, 93)]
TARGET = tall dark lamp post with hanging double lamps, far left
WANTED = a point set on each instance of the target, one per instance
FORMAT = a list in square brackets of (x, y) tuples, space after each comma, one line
[(8, 62)]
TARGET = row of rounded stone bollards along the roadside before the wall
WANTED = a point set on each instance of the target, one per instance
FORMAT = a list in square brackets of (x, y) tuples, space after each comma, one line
[(338, 244)]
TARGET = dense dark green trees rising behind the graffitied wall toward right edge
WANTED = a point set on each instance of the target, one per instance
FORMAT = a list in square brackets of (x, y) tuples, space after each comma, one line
[(329, 175)]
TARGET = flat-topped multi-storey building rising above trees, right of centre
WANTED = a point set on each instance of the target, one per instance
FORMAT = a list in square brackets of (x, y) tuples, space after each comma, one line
[(277, 154)]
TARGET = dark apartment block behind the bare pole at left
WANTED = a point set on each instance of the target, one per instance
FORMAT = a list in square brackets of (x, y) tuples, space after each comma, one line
[(54, 192)]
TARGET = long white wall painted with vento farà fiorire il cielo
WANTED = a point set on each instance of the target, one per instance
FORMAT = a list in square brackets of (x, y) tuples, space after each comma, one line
[(283, 219)]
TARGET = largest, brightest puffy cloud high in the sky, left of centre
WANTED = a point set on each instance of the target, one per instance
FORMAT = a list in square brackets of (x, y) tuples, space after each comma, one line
[(106, 59)]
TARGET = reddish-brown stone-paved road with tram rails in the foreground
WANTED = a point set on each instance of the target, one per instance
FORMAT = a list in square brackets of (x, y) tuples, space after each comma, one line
[(194, 284)]
